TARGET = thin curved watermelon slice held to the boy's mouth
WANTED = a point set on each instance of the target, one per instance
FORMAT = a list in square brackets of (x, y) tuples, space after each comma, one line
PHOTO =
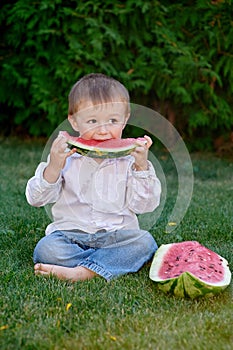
[(111, 148)]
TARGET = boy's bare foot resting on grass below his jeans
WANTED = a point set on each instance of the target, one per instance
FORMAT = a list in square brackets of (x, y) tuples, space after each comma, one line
[(78, 273)]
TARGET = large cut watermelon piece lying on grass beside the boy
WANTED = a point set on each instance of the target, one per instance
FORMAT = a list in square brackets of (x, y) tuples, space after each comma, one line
[(188, 269)]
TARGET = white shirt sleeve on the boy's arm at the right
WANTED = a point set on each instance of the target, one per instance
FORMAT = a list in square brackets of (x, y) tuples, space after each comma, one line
[(144, 190)]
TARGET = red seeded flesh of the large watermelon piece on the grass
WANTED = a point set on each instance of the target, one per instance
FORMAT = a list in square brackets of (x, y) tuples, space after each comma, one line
[(192, 257)]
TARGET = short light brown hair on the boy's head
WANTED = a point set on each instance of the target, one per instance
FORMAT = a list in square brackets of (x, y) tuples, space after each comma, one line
[(97, 88)]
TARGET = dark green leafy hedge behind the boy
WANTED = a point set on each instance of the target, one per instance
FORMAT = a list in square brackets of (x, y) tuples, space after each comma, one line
[(174, 57)]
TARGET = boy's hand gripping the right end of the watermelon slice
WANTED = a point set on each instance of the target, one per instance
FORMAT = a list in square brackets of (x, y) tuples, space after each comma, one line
[(140, 153)]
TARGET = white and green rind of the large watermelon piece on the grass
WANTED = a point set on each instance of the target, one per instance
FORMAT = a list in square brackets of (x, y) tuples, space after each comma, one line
[(186, 284)]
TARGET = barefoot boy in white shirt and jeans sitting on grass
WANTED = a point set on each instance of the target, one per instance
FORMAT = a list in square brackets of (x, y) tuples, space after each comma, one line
[(95, 230)]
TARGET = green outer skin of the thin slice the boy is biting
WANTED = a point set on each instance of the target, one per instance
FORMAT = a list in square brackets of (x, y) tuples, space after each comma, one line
[(97, 153)]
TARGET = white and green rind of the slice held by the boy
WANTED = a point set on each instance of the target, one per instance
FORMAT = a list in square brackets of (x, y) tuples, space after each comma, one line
[(98, 152)]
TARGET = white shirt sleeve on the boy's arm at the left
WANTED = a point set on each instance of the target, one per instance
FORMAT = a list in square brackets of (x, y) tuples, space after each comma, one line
[(39, 192)]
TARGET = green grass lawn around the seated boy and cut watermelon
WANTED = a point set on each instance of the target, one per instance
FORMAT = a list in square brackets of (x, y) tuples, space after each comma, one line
[(129, 312)]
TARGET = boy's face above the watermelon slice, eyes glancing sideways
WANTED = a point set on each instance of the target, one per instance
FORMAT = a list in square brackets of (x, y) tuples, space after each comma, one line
[(100, 122)]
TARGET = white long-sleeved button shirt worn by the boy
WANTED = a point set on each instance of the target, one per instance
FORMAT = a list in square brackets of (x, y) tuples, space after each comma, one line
[(89, 196)]
